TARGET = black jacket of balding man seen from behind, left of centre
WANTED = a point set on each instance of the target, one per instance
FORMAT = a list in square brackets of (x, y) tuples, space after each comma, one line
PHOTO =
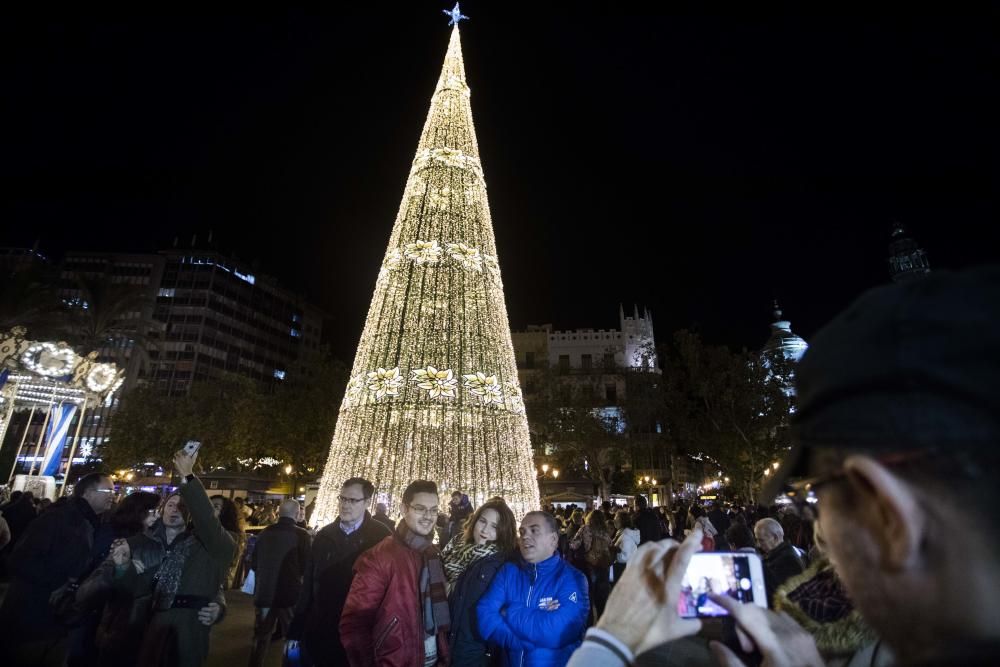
[(279, 561)]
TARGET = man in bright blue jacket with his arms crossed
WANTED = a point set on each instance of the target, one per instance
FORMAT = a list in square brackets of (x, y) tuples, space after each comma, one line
[(536, 608)]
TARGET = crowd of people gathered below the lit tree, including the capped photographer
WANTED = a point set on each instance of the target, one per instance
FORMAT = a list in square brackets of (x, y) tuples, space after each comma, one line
[(883, 552)]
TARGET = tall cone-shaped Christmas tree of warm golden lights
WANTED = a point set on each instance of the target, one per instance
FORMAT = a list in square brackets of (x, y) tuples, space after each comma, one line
[(434, 393)]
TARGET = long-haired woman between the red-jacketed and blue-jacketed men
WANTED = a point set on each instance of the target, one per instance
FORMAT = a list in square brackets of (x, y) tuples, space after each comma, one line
[(471, 560)]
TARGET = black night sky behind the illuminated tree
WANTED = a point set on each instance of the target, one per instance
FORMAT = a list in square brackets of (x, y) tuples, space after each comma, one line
[(698, 164)]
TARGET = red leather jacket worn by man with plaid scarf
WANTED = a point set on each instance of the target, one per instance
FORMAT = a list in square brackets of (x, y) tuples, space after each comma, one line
[(382, 623)]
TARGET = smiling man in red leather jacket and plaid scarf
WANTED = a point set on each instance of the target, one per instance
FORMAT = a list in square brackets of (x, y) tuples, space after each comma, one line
[(396, 614)]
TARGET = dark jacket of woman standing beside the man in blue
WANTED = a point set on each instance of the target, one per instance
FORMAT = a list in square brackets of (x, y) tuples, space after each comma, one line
[(468, 649)]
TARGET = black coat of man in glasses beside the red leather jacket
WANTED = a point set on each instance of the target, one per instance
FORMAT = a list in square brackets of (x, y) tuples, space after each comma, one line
[(327, 581)]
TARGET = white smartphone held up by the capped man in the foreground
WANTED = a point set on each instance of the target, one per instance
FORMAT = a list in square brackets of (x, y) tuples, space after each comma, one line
[(738, 574)]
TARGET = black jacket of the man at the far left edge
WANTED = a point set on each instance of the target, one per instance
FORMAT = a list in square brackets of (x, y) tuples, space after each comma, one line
[(55, 547)]
